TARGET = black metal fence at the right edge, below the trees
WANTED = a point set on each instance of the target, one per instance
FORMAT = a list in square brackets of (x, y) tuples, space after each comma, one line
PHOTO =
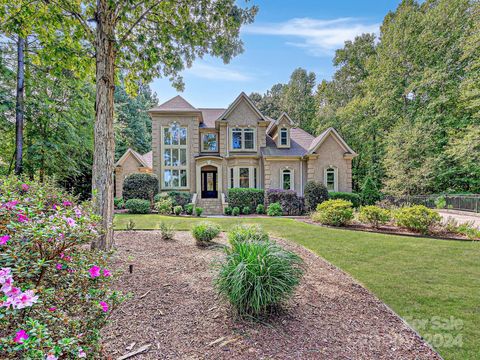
[(455, 202)]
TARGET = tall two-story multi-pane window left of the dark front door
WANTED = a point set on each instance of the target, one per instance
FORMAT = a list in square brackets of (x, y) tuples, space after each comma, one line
[(174, 157)]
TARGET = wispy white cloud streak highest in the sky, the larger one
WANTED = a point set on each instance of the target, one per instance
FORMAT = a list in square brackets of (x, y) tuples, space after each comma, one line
[(318, 37)]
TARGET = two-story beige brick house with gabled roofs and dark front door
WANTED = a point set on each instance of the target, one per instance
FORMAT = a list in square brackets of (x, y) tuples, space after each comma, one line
[(205, 151)]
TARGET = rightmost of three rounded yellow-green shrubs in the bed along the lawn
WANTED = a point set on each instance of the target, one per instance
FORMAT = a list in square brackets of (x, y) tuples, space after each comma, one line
[(417, 218)]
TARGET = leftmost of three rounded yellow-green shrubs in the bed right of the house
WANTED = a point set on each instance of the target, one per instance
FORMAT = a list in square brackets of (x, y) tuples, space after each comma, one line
[(334, 212)]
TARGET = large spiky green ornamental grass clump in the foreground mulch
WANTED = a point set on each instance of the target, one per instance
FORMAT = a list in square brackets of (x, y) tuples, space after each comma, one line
[(258, 276)]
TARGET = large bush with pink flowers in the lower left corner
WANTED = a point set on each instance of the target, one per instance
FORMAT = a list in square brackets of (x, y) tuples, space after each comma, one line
[(54, 291)]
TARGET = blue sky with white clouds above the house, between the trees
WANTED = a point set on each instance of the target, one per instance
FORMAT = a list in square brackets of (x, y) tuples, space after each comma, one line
[(286, 34)]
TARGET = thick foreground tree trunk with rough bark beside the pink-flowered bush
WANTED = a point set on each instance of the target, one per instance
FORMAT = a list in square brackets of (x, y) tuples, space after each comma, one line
[(104, 143)]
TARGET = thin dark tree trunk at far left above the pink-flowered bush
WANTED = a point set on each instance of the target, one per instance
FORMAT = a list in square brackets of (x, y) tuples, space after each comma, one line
[(20, 105)]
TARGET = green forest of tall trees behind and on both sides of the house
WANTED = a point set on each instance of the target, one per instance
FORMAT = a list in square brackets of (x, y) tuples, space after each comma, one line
[(408, 102)]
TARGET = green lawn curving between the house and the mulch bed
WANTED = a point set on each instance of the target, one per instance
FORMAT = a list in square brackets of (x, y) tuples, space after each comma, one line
[(427, 280)]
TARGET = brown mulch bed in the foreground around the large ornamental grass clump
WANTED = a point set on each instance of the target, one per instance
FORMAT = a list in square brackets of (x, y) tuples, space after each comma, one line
[(175, 310)]
